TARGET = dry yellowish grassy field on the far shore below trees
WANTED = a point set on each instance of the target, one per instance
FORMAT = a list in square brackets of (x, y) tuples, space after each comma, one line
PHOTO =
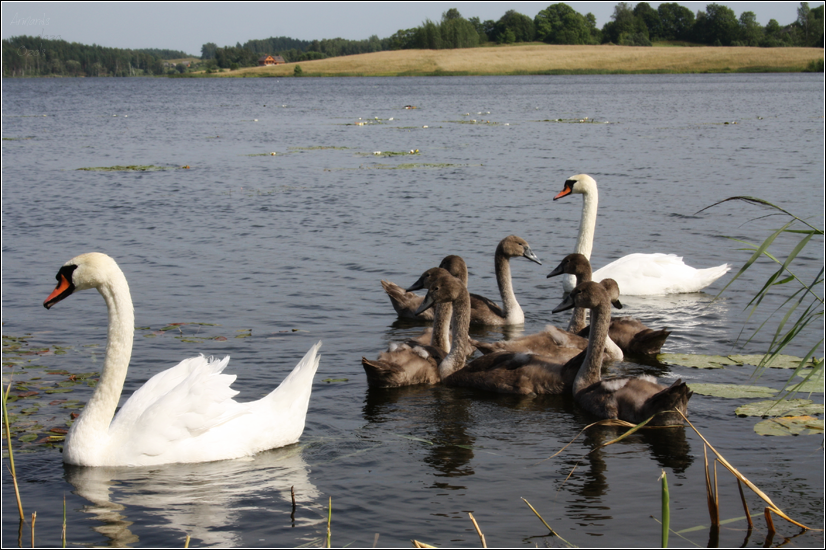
[(547, 59)]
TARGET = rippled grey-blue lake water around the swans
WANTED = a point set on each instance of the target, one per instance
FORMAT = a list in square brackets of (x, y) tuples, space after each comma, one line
[(273, 253)]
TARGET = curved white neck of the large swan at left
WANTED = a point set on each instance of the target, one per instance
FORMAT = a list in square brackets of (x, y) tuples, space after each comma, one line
[(97, 415)]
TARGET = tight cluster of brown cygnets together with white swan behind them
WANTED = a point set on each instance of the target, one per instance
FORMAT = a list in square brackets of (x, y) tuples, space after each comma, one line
[(554, 361)]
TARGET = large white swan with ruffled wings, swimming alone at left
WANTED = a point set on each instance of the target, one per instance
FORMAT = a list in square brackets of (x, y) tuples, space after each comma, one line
[(183, 414)]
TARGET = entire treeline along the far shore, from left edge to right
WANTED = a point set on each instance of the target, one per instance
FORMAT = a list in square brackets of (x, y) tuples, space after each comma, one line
[(639, 25)]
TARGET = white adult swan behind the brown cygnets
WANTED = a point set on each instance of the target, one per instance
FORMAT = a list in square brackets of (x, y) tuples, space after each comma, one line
[(636, 274)]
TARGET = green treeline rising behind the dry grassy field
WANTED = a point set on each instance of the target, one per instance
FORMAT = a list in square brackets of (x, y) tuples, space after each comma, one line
[(640, 25)]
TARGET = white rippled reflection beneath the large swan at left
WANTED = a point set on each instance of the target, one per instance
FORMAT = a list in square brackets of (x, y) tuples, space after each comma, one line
[(202, 500)]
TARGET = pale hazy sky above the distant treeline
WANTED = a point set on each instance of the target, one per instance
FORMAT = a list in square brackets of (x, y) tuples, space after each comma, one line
[(187, 26)]
